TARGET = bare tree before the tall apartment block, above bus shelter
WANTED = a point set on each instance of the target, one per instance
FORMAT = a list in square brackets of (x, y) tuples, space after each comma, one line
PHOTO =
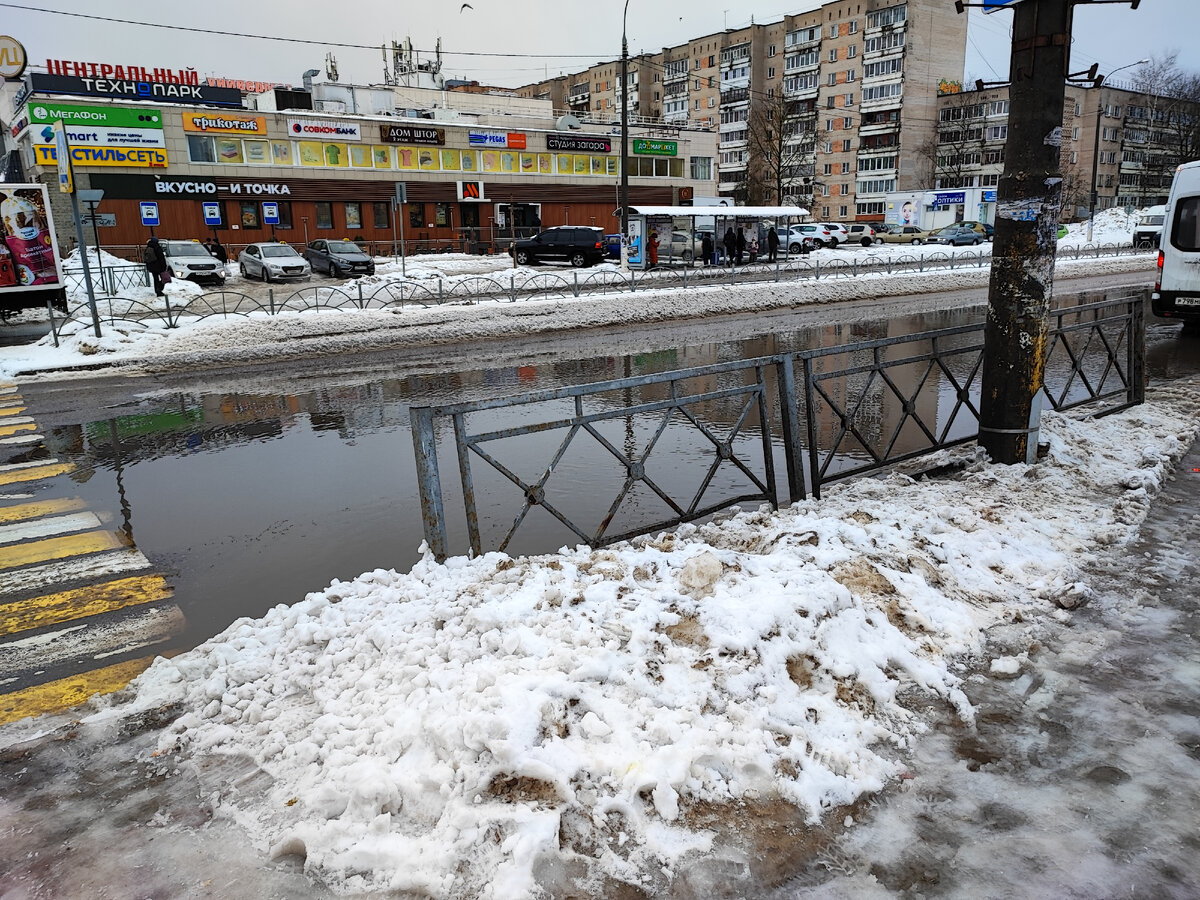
[(782, 140)]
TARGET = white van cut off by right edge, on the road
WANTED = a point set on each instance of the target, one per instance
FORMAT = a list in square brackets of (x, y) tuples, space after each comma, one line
[(1178, 293)]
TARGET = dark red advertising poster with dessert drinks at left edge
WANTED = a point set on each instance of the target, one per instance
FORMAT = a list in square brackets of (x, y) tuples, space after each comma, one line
[(29, 250)]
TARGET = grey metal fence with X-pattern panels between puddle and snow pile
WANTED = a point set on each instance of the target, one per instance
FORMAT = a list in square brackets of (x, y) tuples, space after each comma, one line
[(843, 411)]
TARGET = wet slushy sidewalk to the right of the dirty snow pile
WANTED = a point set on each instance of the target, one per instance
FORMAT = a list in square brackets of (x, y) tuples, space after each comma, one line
[(1083, 776)]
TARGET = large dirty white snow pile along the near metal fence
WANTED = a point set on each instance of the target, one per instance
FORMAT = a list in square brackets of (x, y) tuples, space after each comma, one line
[(477, 728)]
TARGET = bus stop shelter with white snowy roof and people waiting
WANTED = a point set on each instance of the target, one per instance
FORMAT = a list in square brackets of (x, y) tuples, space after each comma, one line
[(645, 221)]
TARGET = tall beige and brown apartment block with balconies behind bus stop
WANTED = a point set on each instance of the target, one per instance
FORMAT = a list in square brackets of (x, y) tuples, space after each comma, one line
[(859, 81)]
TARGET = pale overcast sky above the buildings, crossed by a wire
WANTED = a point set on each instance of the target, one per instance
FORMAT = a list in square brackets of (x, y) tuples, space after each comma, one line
[(533, 32)]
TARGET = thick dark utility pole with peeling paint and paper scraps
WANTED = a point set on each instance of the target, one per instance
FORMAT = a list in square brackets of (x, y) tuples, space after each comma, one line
[(1028, 202)]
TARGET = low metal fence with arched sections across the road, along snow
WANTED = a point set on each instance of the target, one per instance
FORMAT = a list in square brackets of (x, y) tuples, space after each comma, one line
[(512, 287)]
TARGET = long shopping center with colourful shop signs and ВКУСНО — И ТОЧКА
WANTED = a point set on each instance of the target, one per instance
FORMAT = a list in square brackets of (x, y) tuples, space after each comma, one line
[(475, 176)]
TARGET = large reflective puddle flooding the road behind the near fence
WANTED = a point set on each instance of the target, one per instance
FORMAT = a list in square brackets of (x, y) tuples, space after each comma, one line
[(253, 500)]
